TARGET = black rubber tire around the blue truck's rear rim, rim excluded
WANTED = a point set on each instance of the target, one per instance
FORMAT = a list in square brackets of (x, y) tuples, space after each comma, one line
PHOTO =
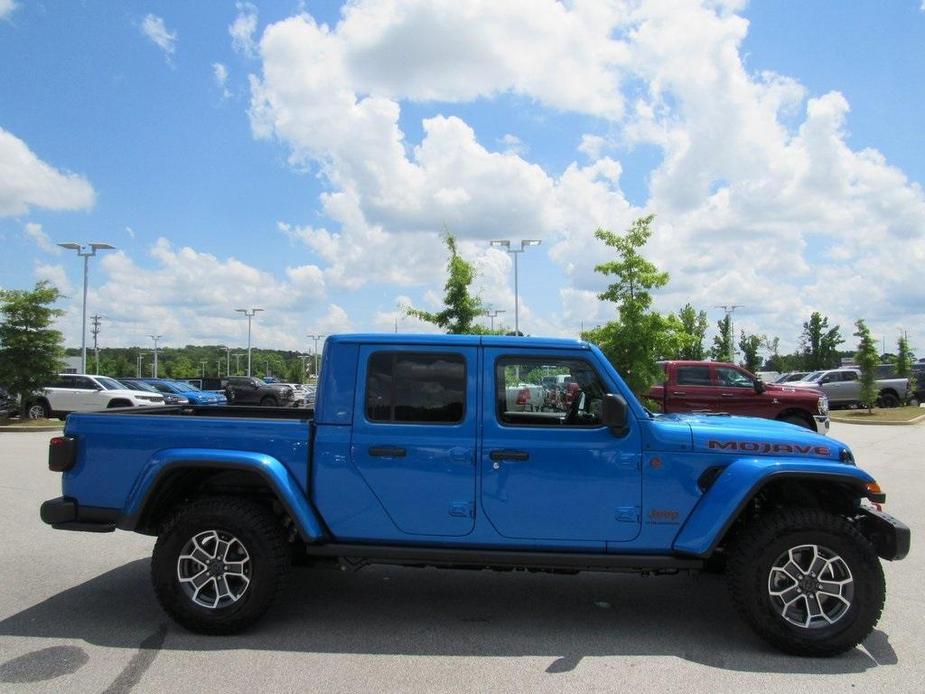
[(257, 529)]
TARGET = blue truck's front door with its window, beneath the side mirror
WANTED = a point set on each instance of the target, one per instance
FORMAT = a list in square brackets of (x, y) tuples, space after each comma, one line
[(557, 473)]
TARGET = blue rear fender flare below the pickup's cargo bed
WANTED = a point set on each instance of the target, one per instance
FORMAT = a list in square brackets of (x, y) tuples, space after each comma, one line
[(271, 470)]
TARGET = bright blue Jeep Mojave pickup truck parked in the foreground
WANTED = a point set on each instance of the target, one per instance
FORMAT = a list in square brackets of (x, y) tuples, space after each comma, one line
[(417, 454)]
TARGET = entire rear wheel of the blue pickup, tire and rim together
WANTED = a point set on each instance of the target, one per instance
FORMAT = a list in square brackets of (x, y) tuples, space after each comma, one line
[(218, 564)]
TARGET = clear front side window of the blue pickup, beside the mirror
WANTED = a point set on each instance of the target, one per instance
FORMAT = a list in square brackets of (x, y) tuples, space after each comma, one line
[(547, 392)]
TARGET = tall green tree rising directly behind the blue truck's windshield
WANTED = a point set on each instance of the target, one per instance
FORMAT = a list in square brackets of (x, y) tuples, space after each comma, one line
[(639, 336)]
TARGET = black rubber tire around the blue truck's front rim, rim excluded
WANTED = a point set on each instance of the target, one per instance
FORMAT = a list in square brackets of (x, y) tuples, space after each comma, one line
[(761, 544)]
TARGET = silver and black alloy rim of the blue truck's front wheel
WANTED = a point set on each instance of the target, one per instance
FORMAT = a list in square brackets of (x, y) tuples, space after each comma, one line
[(811, 586)]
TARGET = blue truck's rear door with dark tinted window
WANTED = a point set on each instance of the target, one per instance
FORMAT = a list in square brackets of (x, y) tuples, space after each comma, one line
[(414, 434)]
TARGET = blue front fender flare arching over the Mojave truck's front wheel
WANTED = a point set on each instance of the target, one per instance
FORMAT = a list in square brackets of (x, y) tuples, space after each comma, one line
[(739, 483)]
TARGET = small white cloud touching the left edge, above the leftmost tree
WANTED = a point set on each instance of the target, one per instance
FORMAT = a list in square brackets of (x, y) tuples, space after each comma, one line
[(26, 181)]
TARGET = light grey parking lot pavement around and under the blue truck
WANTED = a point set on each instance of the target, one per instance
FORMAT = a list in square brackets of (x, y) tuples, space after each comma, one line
[(77, 613)]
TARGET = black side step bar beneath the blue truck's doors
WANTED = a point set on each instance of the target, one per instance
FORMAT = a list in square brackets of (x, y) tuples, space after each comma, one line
[(403, 555)]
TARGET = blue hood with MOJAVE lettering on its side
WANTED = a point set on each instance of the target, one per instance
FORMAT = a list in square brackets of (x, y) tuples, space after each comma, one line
[(754, 437)]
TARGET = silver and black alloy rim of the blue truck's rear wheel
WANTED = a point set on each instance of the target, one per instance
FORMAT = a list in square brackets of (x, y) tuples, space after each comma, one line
[(214, 569)]
